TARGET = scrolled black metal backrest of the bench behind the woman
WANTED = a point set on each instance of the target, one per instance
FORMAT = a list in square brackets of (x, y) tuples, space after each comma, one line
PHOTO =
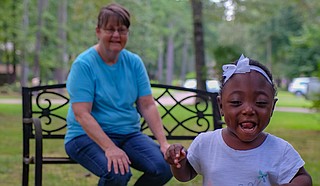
[(185, 112)]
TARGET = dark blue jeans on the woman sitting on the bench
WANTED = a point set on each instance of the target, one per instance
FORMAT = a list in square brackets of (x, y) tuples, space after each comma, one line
[(143, 152)]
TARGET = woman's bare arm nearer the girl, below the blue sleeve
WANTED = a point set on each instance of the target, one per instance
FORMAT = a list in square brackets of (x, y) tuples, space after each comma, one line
[(149, 111)]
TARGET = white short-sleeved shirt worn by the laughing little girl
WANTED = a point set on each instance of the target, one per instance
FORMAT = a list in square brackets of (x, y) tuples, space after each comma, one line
[(274, 162)]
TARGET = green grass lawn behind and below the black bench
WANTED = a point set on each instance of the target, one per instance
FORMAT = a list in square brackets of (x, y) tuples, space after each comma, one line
[(300, 129)]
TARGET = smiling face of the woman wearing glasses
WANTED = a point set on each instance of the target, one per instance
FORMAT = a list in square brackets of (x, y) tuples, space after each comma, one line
[(113, 37)]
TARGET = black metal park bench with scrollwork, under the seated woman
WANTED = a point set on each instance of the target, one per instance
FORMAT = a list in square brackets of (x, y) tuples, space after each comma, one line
[(184, 112)]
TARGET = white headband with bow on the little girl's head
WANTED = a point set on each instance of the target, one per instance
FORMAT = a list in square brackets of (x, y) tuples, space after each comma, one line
[(241, 67)]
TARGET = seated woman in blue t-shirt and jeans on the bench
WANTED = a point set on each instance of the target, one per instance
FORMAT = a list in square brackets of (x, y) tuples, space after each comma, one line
[(106, 83)]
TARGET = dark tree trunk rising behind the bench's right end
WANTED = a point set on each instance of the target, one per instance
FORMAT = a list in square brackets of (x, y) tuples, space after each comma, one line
[(199, 44)]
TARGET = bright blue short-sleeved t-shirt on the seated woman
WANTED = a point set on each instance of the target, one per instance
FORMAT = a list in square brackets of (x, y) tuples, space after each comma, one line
[(112, 90)]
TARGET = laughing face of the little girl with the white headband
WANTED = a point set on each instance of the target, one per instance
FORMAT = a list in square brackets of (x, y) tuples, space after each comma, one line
[(247, 103)]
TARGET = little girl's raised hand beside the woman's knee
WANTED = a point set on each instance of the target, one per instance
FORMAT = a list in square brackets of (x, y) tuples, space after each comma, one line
[(175, 153)]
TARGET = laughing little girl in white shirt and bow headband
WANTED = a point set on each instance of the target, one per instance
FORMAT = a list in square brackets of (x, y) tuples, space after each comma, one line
[(241, 154)]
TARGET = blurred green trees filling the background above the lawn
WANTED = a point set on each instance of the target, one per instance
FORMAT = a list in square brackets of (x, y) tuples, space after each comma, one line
[(39, 39)]
